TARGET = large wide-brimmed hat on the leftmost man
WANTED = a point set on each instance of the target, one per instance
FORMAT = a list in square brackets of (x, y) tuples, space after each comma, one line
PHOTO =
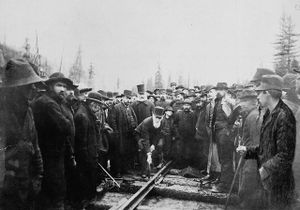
[(19, 72)]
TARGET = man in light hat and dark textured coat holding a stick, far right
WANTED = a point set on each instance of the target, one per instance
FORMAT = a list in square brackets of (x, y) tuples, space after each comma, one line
[(275, 153)]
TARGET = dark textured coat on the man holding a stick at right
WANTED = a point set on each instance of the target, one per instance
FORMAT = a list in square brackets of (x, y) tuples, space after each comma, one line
[(275, 154)]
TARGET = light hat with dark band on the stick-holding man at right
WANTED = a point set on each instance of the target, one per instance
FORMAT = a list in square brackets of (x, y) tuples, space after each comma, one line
[(270, 82)]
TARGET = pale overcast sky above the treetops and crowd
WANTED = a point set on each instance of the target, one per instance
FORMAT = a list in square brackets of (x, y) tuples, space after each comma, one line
[(210, 41)]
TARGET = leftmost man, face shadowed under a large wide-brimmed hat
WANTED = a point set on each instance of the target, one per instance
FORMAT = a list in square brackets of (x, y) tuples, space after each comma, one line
[(23, 161)]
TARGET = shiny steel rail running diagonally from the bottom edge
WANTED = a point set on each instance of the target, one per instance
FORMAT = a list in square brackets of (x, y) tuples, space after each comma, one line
[(137, 198)]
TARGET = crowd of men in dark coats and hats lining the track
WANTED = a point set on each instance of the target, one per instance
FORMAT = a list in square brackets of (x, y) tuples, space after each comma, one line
[(56, 138)]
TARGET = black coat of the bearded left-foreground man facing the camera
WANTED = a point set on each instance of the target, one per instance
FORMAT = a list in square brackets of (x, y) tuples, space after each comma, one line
[(54, 130)]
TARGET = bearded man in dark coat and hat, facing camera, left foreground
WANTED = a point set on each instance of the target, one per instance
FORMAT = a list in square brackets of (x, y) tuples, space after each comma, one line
[(54, 130)]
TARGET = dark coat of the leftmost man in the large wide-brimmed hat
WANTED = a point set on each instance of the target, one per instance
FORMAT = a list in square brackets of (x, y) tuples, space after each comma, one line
[(23, 160)]
